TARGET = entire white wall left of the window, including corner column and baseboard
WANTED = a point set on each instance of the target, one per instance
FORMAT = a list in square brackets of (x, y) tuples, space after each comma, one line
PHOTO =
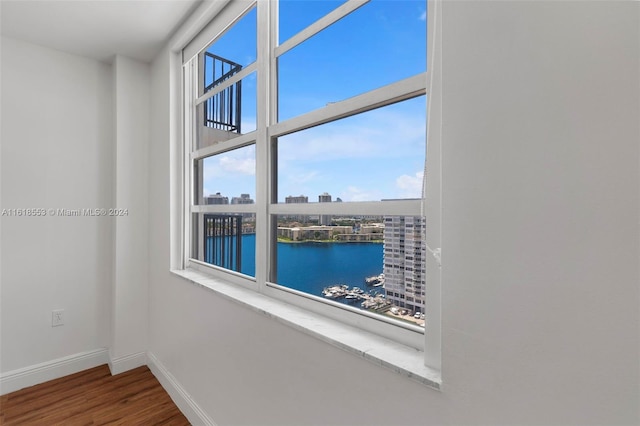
[(75, 135)]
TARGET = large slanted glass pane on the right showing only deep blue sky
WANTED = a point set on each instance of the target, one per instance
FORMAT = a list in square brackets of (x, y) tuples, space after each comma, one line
[(380, 43)]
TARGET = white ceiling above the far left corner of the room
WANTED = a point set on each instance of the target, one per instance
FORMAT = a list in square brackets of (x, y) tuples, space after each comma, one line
[(97, 29)]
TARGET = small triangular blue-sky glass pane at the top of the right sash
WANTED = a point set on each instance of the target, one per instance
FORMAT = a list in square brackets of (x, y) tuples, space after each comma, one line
[(296, 15)]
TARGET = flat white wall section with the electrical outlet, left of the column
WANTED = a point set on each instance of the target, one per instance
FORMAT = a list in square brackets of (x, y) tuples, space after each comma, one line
[(56, 153)]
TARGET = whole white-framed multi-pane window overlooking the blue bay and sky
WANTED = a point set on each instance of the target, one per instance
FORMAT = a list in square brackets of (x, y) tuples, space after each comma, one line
[(305, 159)]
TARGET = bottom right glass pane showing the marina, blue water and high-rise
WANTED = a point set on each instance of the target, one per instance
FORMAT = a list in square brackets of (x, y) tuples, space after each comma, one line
[(371, 263)]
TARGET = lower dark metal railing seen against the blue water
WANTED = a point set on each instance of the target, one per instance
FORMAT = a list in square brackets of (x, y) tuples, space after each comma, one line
[(223, 240)]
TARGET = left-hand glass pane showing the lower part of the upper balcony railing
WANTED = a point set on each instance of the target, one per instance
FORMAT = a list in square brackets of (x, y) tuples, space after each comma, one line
[(227, 114)]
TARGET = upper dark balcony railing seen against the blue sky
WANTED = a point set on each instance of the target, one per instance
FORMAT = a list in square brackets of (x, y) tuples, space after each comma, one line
[(222, 110)]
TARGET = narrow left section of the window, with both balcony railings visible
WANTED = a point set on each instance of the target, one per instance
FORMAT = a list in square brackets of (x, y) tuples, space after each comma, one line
[(220, 103)]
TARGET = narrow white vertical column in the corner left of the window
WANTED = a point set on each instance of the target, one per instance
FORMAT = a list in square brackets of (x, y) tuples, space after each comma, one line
[(130, 283)]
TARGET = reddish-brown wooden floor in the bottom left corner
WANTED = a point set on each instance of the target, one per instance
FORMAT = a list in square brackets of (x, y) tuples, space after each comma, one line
[(93, 397)]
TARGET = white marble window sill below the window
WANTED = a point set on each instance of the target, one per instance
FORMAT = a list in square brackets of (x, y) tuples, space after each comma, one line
[(399, 358)]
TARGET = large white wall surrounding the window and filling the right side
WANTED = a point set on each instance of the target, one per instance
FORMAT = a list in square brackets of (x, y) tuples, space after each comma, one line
[(540, 245)]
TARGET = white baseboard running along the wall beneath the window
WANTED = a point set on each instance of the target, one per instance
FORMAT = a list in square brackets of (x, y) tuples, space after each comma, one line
[(178, 394)]
